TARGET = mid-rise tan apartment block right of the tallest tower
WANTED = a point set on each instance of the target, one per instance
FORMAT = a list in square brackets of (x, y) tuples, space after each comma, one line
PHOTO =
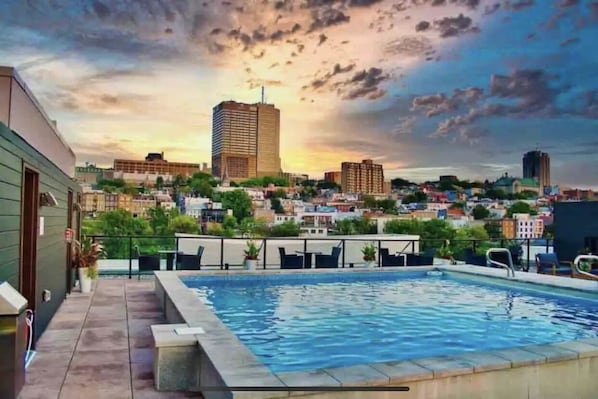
[(364, 178)]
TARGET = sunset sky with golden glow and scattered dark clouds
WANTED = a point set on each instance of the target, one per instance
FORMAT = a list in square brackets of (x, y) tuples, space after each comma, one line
[(425, 87)]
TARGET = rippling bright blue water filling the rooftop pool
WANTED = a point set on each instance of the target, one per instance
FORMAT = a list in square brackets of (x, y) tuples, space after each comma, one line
[(297, 322)]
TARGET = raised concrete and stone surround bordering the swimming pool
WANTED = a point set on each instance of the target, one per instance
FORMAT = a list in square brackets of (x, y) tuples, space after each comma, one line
[(557, 370)]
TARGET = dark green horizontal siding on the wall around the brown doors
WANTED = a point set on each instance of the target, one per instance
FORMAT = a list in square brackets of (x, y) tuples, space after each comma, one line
[(51, 255)]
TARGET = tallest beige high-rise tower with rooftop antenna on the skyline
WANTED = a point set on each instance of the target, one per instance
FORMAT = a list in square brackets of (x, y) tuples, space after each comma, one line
[(245, 140)]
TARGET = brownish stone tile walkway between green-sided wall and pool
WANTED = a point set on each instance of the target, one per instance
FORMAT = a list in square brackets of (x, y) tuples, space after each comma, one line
[(99, 345)]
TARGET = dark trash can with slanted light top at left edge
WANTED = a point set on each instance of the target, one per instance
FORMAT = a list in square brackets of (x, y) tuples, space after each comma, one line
[(13, 341)]
